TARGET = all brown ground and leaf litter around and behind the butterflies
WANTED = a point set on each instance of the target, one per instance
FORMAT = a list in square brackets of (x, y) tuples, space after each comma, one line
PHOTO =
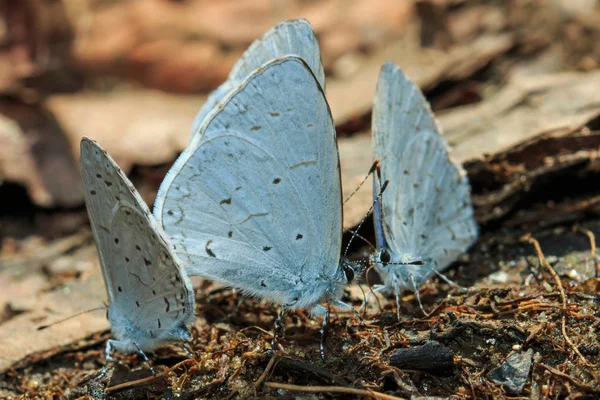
[(515, 87)]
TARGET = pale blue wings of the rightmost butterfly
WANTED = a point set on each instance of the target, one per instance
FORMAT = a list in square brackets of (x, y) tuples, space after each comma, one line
[(426, 207)]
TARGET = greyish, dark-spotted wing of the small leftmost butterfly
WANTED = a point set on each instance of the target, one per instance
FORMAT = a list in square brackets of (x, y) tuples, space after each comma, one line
[(151, 297)]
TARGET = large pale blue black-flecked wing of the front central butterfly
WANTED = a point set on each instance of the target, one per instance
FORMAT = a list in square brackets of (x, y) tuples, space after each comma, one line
[(256, 204)]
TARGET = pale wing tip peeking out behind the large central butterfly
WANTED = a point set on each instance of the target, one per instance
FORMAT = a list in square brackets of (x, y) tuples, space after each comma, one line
[(294, 37)]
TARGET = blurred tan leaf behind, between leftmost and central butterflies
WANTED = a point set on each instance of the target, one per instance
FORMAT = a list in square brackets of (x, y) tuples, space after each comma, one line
[(141, 127)]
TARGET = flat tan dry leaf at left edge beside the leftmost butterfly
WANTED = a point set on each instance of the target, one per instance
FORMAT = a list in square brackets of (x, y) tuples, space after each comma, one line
[(27, 289)]
